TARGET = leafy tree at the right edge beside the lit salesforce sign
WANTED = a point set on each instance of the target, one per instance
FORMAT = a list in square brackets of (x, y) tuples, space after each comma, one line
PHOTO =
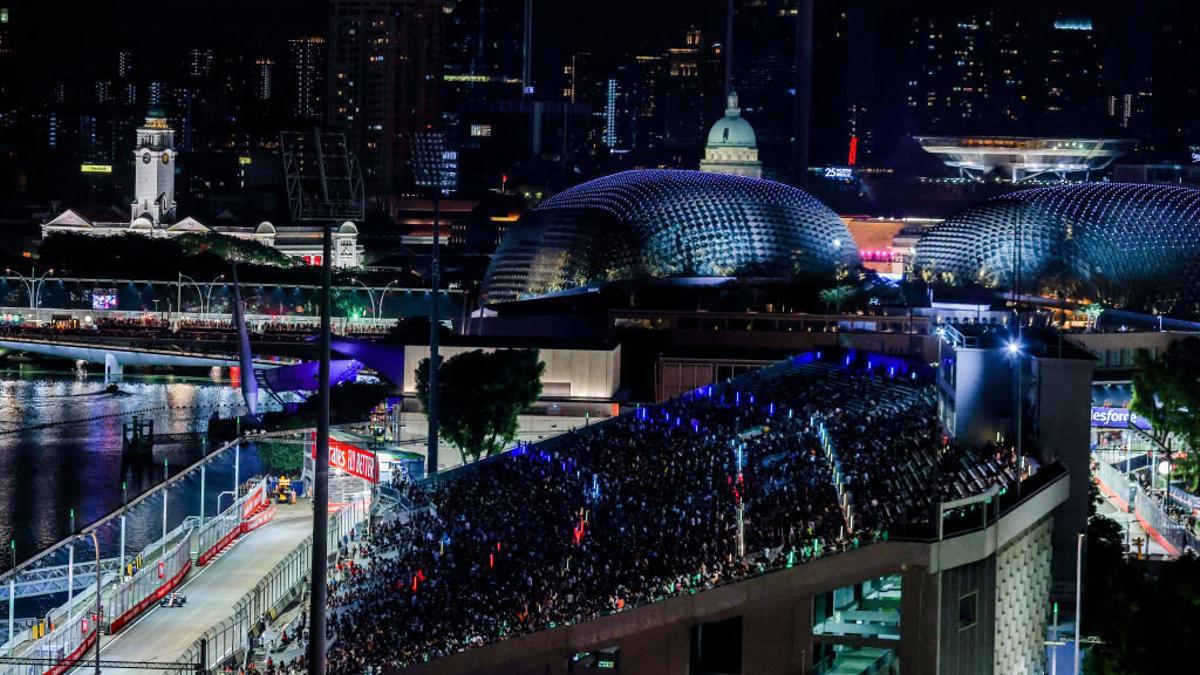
[(1167, 392)]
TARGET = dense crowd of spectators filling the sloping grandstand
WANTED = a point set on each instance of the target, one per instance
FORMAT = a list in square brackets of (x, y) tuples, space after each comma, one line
[(637, 510)]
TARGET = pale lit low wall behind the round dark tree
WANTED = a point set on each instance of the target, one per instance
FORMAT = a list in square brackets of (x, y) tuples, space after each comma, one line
[(577, 374)]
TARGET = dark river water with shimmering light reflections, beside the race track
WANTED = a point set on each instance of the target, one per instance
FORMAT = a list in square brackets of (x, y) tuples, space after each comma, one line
[(61, 447)]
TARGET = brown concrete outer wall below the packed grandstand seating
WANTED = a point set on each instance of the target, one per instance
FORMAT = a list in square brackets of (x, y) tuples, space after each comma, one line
[(777, 611)]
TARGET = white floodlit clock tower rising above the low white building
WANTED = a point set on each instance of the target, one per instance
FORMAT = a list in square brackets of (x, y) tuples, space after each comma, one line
[(154, 170)]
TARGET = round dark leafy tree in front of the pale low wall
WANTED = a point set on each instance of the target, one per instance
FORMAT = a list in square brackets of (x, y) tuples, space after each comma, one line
[(481, 396)]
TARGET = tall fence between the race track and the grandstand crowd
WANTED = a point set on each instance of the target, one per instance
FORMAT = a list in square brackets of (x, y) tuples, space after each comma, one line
[(231, 638)]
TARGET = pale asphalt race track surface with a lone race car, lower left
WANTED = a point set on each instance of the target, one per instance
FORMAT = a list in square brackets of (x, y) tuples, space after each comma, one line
[(166, 634)]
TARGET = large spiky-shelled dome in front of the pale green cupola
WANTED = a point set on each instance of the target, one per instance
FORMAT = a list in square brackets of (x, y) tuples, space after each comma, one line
[(668, 224)]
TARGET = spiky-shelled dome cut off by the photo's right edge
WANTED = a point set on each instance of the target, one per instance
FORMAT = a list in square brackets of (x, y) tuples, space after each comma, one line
[(1126, 244)]
